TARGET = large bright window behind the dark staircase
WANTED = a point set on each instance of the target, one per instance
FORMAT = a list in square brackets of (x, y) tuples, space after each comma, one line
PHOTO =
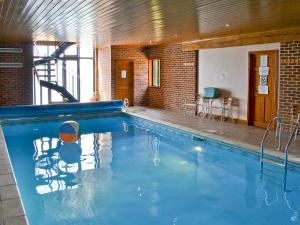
[(73, 70)]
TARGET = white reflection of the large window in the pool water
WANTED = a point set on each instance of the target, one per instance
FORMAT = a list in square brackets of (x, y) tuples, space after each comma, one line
[(55, 172)]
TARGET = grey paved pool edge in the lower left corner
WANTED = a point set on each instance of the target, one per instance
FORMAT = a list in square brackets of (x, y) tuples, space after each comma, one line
[(8, 216)]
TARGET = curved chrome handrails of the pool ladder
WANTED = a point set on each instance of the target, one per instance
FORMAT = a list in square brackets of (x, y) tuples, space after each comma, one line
[(278, 125)]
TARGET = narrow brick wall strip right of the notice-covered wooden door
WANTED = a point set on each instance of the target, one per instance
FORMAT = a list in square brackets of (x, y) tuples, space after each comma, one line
[(289, 95)]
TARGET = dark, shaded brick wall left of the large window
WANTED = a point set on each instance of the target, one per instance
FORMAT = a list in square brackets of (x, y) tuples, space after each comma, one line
[(16, 83)]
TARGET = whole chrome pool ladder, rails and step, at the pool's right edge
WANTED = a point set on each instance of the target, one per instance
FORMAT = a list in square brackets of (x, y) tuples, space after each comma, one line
[(270, 160)]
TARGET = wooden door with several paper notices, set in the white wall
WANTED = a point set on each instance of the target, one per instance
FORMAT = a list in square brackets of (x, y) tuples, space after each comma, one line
[(262, 106)]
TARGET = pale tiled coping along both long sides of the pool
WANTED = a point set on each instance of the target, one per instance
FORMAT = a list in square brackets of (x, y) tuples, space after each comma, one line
[(11, 208)]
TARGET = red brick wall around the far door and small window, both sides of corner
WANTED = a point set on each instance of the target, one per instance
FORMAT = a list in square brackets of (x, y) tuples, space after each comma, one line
[(178, 75)]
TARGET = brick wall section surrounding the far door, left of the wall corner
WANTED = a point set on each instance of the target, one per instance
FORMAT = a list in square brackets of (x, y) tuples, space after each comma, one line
[(140, 60)]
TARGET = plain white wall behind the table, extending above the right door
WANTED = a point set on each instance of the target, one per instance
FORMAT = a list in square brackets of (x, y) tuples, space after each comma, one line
[(227, 68)]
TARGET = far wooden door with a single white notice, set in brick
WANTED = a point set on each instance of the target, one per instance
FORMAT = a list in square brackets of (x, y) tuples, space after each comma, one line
[(124, 80)]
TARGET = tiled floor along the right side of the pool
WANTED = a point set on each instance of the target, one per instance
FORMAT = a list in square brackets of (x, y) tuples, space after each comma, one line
[(247, 136)]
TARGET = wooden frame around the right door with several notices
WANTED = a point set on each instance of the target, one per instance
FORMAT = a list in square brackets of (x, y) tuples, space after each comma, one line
[(276, 76)]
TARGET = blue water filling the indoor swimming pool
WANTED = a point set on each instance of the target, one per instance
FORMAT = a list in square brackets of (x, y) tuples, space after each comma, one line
[(127, 171)]
